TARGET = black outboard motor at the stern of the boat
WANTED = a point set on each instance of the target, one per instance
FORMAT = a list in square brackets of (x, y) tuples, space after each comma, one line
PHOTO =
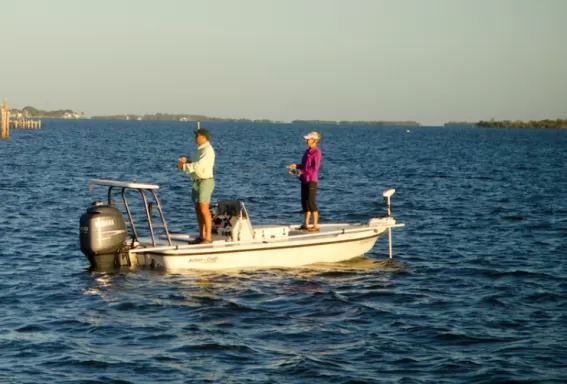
[(103, 232)]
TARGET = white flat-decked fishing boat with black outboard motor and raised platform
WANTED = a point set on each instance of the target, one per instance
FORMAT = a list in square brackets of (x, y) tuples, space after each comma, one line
[(110, 238)]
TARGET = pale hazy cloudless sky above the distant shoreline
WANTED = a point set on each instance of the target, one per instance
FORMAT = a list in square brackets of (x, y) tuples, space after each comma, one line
[(431, 61)]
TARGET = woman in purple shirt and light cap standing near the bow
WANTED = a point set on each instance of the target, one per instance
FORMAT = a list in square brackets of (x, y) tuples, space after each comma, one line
[(307, 172)]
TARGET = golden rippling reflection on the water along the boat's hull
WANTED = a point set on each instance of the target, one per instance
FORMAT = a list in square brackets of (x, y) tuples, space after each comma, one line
[(201, 287)]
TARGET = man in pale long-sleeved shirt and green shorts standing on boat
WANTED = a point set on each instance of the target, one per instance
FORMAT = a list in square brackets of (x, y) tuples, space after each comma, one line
[(200, 169)]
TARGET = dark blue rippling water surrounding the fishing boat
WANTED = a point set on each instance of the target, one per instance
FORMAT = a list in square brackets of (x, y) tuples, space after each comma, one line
[(477, 291)]
